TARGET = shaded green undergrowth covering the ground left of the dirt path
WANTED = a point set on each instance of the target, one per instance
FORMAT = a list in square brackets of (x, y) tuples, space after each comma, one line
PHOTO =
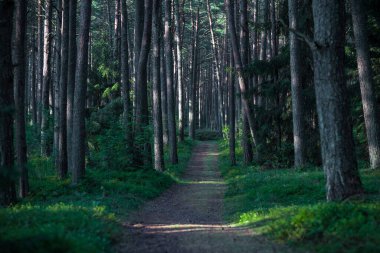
[(58, 217)]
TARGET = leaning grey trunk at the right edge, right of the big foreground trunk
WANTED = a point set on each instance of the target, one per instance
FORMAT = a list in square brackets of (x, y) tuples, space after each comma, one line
[(371, 114)]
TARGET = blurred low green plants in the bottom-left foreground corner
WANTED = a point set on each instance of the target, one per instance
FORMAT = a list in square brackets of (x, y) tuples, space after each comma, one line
[(56, 228)]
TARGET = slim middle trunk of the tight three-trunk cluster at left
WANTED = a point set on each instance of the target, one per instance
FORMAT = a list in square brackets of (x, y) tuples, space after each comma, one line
[(71, 77)]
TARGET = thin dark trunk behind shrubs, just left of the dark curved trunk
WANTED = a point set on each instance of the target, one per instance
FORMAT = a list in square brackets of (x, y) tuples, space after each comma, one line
[(125, 76)]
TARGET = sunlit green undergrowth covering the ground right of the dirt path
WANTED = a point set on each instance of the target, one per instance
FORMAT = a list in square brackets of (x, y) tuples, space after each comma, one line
[(289, 206)]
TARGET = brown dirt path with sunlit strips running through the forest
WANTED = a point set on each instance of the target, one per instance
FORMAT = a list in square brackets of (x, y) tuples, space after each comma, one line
[(189, 216)]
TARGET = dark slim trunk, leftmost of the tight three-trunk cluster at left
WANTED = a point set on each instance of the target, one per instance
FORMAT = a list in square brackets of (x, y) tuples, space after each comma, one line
[(62, 138)]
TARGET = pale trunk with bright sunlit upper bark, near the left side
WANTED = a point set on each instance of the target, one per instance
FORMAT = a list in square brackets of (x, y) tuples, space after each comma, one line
[(46, 77)]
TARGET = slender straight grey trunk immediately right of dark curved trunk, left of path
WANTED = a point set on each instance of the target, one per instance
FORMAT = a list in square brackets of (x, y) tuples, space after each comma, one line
[(157, 113)]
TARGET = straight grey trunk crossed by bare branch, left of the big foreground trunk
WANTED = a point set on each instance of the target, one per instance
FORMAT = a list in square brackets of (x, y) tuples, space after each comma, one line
[(296, 86)]
